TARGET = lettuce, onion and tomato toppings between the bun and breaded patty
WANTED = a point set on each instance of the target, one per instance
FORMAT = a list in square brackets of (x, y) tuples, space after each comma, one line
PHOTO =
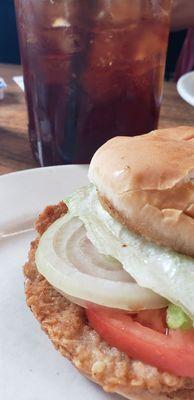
[(119, 276)]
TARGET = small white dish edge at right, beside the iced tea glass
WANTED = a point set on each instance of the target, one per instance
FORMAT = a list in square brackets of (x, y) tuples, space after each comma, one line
[(185, 87)]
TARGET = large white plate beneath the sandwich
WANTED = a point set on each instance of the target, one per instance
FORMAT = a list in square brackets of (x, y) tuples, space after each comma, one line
[(30, 368)]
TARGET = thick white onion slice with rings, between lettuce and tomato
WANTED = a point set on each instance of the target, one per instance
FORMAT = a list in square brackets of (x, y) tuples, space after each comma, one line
[(70, 262)]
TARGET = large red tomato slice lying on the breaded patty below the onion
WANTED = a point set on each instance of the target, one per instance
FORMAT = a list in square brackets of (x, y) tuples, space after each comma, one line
[(172, 352)]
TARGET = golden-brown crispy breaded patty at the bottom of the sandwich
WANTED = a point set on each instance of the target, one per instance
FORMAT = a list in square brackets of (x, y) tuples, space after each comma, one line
[(66, 325)]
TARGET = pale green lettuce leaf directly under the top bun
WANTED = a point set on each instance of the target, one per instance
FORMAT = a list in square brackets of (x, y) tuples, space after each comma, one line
[(164, 271)]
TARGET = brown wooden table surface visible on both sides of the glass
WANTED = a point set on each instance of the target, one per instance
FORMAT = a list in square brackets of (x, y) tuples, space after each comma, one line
[(15, 152)]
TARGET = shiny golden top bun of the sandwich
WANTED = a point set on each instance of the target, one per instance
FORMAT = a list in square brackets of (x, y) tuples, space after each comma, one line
[(147, 182)]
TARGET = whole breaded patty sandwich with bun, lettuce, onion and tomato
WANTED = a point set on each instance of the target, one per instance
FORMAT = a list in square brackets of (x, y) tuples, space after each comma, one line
[(110, 276)]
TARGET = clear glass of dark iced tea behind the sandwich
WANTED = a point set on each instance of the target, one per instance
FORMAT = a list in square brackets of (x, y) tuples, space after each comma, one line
[(93, 69)]
